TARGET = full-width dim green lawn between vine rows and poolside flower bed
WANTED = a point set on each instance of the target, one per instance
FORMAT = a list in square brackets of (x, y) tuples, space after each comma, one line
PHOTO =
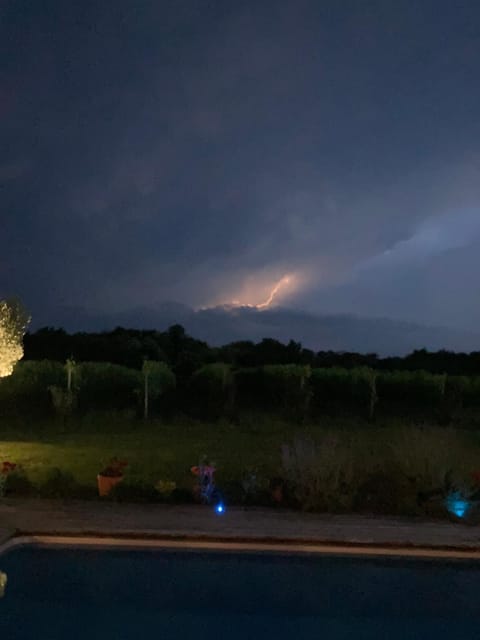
[(166, 451)]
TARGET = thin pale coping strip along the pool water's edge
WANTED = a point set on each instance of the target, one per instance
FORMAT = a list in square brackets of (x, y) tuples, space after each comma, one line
[(222, 545)]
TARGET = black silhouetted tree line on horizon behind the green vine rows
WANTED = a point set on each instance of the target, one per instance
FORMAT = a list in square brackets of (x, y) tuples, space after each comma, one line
[(185, 354)]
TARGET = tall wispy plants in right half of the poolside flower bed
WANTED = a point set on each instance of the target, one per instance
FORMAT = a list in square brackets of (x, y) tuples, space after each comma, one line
[(380, 470)]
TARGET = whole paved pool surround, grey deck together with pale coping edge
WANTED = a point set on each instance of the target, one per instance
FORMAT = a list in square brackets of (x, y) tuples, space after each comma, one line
[(249, 528)]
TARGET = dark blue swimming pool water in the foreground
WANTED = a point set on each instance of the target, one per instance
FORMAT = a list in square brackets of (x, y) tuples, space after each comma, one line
[(55, 593)]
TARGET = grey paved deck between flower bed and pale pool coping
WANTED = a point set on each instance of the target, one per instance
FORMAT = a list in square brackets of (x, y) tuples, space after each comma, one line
[(91, 518)]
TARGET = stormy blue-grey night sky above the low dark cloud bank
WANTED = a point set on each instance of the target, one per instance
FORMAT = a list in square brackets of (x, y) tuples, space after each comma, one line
[(199, 152)]
